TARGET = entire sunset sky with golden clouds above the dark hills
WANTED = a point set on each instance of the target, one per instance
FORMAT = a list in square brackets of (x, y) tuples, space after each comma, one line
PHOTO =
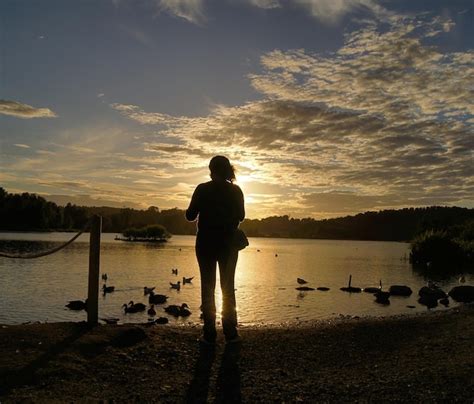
[(325, 107)]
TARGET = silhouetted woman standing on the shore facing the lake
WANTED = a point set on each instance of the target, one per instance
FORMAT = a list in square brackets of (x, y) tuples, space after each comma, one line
[(219, 207)]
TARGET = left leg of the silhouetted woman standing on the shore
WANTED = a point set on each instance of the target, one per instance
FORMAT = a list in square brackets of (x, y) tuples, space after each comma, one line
[(207, 267)]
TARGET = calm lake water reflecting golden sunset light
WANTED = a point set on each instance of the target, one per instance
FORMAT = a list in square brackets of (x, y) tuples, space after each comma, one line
[(37, 289)]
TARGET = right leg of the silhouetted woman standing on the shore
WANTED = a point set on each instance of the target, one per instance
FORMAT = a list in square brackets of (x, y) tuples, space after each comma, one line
[(227, 264)]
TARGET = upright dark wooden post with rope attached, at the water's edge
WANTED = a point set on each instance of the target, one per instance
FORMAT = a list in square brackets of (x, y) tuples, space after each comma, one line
[(94, 269)]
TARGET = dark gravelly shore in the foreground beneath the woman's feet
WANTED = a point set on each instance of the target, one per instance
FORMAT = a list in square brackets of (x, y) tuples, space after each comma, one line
[(424, 357)]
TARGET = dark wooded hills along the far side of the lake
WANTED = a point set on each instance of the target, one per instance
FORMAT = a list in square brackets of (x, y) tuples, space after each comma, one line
[(30, 212)]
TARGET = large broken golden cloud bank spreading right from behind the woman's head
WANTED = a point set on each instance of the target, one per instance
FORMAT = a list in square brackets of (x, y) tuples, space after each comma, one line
[(386, 121)]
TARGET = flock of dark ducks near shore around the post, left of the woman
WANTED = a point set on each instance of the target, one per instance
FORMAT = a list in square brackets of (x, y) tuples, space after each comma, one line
[(154, 299)]
